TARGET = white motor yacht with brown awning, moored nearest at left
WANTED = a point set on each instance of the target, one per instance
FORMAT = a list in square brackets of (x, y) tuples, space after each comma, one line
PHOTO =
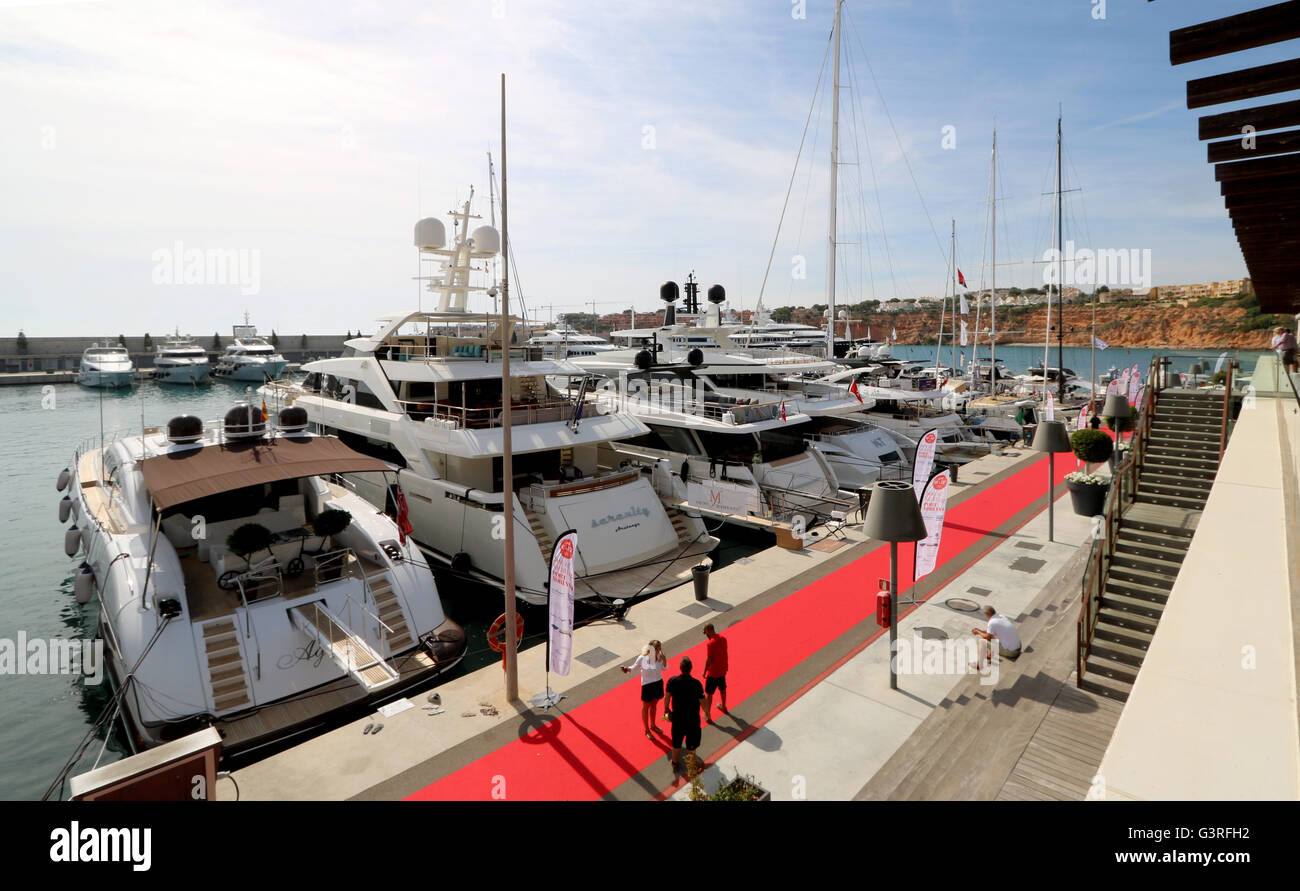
[(242, 586)]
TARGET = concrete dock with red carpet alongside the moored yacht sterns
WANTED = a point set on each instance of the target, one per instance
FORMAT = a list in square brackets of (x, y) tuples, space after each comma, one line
[(812, 712)]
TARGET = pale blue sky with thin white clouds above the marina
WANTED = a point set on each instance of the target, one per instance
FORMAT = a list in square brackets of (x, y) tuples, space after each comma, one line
[(647, 140)]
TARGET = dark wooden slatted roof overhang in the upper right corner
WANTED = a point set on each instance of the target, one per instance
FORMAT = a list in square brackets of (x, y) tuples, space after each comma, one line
[(1258, 163)]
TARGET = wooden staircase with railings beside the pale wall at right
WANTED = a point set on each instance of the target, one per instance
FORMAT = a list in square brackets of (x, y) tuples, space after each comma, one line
[(1175, 481)]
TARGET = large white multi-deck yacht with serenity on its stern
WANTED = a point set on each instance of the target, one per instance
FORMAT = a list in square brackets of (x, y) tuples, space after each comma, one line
[(430, 399)]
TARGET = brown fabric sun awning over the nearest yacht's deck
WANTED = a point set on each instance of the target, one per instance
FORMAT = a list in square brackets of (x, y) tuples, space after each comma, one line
[(181, 477)]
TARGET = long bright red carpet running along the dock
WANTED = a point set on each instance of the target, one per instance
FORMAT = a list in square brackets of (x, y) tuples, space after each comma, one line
[(601, 745)]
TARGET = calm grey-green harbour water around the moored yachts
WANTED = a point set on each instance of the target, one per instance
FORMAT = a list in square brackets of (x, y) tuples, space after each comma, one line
[(46, 717)]
